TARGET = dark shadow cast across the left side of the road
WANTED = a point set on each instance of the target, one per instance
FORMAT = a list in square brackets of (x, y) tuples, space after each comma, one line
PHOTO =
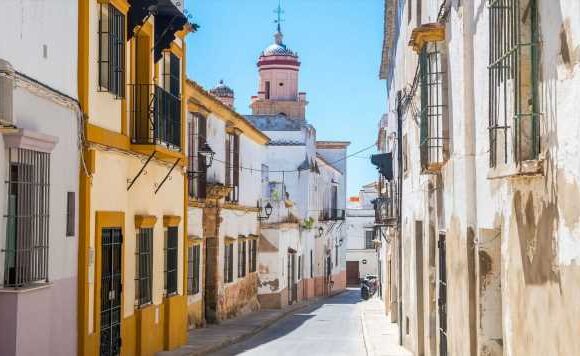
[(290, 323)]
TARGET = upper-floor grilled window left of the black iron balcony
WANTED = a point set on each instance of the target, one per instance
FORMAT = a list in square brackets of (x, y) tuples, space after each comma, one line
[(112, 50)]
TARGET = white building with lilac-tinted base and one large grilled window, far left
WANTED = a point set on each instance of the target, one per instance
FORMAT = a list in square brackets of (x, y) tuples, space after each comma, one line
[(40, 162)]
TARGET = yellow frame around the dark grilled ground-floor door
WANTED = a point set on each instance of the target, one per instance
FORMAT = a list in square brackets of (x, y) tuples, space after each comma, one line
[(104, 220)]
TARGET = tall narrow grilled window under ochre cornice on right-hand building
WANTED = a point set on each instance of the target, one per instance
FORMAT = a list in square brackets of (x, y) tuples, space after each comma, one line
[(434, 129)]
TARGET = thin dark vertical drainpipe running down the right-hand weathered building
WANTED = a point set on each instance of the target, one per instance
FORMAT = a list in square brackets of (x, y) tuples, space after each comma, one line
[(400, 210)]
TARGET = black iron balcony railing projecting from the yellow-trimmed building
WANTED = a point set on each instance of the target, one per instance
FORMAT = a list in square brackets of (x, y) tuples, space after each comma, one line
[(155, 116)]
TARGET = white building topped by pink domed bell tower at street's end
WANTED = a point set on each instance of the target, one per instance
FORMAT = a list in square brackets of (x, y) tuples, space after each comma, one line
[(302, 250)]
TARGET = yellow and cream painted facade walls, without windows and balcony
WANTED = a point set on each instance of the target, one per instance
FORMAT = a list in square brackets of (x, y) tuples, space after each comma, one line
[(112, 159)]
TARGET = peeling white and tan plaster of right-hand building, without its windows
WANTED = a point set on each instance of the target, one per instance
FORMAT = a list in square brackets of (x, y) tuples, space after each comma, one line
[(517, 289)]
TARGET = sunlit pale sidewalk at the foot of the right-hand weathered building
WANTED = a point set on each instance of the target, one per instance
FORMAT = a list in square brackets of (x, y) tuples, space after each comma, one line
[(381, 336)]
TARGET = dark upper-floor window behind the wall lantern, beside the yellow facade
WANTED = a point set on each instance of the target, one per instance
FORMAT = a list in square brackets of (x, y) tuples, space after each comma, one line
[(196, 163)]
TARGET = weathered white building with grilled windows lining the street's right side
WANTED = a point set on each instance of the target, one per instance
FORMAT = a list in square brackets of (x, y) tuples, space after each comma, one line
[(481, 100)]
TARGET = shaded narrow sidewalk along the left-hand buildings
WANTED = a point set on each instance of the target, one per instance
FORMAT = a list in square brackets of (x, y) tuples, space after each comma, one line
[(214, 337)]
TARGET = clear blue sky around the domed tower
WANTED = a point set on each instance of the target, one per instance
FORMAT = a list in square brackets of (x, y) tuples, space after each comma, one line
[(339, 44)]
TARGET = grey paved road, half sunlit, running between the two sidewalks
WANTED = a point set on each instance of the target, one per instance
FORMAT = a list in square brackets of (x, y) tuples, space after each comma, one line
[(331, 328)]
